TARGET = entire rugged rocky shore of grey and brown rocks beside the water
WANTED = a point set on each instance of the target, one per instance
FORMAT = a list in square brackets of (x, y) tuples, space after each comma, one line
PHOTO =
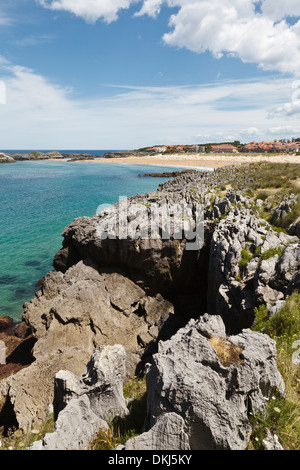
[(177, 308)]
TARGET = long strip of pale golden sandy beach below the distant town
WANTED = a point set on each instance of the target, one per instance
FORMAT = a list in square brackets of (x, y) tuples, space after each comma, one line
[(203, 160)]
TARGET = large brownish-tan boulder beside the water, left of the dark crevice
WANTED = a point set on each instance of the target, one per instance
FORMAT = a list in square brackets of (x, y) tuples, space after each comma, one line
[(70, 316)]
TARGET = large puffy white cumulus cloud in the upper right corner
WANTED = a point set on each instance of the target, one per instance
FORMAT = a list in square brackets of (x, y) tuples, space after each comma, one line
[(234, 27)]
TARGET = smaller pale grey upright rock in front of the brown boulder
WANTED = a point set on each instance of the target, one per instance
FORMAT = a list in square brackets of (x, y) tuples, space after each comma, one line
[(86, 404)]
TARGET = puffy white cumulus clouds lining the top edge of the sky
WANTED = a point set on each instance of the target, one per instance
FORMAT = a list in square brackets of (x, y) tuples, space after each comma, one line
[(255, 31)]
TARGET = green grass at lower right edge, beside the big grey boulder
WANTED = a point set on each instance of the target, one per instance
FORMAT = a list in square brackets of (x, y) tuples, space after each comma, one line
[(282, 416)]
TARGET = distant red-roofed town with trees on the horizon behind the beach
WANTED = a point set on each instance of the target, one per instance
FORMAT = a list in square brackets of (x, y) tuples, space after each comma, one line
[(281, 146)]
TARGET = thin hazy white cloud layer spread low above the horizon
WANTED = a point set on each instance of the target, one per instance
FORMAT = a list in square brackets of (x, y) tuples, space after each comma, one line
[(39, 114)]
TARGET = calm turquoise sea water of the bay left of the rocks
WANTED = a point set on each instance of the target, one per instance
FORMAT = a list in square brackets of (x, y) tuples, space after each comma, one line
[(38, 200)]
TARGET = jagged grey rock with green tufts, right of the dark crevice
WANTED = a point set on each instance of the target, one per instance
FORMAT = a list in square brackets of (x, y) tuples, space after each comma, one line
[(234, 288)]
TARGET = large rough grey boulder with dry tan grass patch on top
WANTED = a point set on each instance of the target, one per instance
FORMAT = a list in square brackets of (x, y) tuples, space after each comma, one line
[(212, 384)]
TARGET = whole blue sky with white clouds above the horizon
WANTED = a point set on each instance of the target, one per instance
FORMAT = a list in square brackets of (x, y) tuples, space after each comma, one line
[(96, 74)]
